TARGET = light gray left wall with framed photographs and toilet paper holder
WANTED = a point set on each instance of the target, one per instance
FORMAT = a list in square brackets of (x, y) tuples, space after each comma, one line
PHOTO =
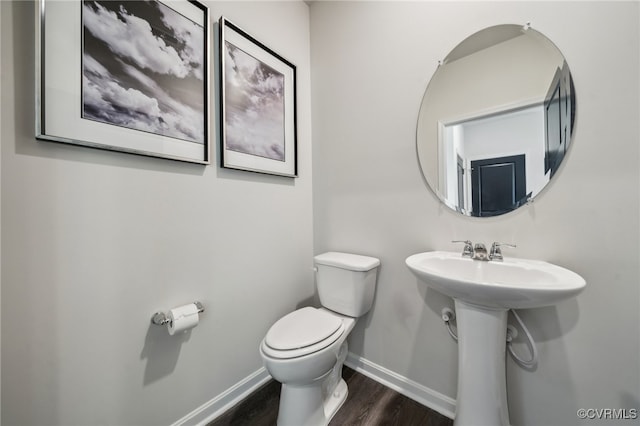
[(95, 242)]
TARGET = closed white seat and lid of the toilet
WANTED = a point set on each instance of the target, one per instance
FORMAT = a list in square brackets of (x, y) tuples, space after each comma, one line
[(302, 332)]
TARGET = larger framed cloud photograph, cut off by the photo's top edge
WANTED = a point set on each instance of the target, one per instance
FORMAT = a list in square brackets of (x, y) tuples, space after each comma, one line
[(129, 76)]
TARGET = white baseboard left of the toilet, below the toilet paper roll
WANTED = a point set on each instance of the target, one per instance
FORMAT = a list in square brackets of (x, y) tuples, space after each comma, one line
[(223, 402)]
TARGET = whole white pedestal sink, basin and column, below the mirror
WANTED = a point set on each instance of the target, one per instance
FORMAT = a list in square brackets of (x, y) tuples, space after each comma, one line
[(483, 293)]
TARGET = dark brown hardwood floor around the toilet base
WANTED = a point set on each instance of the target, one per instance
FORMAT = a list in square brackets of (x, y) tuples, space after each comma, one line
[(369, 403)]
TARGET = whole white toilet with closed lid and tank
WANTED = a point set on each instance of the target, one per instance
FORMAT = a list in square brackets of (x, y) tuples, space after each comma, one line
[(305, 349)]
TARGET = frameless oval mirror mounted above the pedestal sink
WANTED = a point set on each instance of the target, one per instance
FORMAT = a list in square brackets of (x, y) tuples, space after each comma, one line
[(496, 121)]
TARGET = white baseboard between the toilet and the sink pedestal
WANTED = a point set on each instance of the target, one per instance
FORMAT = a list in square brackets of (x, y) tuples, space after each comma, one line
[(407, 387)]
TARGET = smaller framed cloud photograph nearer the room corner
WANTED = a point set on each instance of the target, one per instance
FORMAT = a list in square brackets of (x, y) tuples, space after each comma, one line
[(258, 105)]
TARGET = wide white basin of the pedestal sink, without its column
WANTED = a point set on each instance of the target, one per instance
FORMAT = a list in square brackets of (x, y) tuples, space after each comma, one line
[(510, 284)]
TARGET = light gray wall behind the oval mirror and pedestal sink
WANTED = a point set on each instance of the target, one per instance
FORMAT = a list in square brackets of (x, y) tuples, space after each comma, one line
[(371, 62)]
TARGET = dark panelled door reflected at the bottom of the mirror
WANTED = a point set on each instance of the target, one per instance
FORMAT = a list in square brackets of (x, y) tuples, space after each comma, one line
[(498, 185)]
